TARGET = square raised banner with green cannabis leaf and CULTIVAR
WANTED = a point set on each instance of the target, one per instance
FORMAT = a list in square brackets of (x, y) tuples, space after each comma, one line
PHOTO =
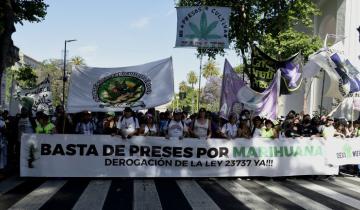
[(203, 27)]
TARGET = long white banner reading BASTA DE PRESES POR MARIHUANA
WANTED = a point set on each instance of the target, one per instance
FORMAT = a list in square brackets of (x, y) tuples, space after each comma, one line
[(111, 156)]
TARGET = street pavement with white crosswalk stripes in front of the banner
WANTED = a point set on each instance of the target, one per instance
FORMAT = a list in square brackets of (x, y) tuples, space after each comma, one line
[(341, 192)]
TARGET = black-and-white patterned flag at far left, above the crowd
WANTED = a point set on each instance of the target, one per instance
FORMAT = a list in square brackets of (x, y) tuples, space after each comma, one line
[(36, 99)]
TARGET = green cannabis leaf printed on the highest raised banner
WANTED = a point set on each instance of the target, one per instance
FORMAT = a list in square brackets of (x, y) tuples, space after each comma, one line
[(204, 31)]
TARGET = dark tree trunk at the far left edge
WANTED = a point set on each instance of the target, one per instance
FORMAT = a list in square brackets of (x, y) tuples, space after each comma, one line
[(6, 43)]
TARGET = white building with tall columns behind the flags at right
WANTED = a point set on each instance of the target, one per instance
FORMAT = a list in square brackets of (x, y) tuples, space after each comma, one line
[(342, 18)]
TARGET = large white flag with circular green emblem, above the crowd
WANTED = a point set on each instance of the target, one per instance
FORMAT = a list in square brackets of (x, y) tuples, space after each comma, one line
[(112, 89)]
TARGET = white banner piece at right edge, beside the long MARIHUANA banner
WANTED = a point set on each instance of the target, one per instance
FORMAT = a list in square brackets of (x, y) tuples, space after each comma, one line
[(343, 151)]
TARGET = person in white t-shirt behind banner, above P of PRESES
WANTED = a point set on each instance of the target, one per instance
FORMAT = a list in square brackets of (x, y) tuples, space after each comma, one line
[(128, 125)]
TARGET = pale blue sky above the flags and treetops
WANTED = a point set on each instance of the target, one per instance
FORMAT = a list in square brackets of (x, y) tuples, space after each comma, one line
[(112, 33)]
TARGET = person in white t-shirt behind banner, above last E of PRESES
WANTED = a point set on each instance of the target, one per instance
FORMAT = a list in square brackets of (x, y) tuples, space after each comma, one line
[(176, 128)]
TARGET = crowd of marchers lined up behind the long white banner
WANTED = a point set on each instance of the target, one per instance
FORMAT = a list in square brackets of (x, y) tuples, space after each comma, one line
[(170, 125)]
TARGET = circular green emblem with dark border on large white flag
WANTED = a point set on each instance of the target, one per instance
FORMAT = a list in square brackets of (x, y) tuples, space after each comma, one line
[(121, 89)]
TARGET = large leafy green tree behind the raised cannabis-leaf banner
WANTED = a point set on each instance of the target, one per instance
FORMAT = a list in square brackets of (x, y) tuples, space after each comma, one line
[(255, 21)]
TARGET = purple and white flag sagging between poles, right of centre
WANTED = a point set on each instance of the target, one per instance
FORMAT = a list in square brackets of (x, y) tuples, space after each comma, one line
[(236, 93)]
